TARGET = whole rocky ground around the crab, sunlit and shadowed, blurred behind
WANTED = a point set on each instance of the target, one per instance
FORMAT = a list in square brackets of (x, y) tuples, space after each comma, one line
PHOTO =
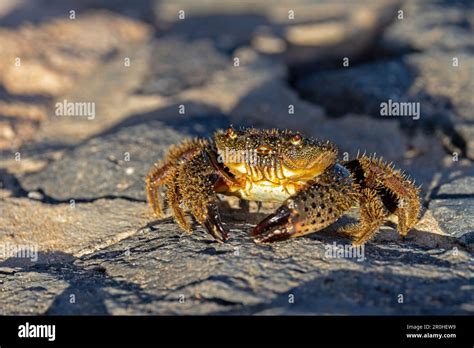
[(74, 187)]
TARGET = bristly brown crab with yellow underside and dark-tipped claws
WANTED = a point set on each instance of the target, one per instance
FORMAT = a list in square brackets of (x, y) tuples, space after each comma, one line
[(302, 174)]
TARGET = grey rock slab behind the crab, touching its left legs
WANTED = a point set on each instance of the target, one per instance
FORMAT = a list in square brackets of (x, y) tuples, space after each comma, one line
[(116, 164)]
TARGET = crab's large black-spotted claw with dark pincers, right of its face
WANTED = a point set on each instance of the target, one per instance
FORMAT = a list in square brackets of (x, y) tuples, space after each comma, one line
[(311, 209)]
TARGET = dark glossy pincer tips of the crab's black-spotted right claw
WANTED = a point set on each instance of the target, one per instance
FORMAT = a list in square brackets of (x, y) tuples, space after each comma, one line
[(274, 227)]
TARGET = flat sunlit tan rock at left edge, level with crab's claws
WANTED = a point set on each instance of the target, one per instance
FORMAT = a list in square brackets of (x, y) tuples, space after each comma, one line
[(74, 228)]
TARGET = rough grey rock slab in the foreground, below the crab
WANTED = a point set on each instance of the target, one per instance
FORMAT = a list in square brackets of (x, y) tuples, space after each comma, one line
[(149, 273)]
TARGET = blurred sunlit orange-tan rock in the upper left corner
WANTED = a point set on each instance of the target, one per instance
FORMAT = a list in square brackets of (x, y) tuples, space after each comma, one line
[(40, 62)]
